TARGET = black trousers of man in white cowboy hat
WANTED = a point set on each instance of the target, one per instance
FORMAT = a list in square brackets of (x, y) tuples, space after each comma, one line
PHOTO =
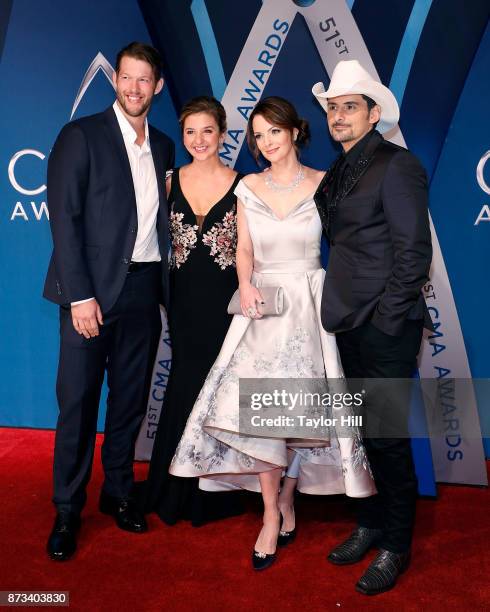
[(367, 352)]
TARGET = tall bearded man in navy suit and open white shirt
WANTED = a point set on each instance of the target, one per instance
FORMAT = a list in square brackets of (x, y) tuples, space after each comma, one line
[(108, 273)]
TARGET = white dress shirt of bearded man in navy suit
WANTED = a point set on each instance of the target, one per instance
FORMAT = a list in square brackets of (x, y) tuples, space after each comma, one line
[(146, 191)]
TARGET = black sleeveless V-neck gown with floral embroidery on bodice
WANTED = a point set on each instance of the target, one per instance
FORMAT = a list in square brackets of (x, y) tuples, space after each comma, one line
[(202, 280)]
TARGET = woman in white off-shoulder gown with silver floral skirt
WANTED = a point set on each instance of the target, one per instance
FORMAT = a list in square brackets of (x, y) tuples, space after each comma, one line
[(279, 234)]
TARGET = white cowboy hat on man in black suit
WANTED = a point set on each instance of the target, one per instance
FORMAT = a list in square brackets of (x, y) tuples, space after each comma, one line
[(349, 77)]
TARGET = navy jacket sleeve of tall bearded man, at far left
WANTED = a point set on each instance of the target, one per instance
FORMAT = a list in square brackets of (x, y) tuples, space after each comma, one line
[(68, 175)]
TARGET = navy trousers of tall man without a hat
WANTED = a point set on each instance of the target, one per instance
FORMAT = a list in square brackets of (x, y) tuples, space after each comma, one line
[(125, 348)]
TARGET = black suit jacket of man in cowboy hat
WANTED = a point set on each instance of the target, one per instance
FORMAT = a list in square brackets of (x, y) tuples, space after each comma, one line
[(380, 241)]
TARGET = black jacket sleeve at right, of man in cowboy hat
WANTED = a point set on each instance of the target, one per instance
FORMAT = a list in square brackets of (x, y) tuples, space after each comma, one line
[(405, 203)]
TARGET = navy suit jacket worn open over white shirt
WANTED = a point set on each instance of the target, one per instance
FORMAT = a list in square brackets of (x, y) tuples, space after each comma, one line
[(92, 210)]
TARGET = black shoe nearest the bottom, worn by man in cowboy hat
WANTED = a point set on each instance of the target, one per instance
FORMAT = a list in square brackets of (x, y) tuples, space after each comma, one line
[(383, 572)]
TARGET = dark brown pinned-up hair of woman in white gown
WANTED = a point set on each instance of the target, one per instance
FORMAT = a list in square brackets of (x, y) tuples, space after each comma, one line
[(282, 113)]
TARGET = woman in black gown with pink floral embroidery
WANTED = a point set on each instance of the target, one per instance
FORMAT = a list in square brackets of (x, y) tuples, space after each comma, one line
[(202, 281)]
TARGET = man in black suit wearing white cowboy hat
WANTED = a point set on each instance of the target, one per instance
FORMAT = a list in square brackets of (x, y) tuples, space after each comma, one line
[(373, 206)]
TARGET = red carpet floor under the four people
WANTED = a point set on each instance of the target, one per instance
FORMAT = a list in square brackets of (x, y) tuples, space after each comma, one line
[(183, 568)]
